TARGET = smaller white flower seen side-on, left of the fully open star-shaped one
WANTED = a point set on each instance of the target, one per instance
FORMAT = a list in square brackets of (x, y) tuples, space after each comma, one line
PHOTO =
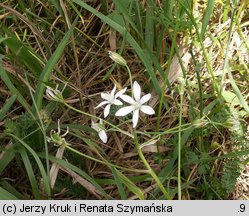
[(109, 99)]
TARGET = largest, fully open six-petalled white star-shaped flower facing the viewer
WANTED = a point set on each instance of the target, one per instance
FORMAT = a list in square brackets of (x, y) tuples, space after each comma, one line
[(136, 104)]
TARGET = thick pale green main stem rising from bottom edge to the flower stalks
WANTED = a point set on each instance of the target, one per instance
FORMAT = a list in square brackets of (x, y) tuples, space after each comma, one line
[(152, 173)]
